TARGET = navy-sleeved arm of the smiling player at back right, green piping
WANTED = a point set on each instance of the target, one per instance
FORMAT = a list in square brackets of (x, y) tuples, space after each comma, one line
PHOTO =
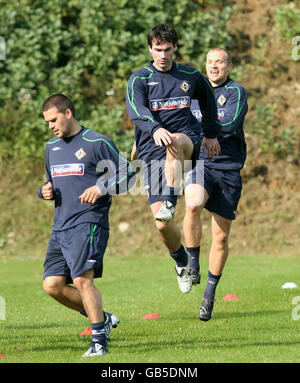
[(235, 110)]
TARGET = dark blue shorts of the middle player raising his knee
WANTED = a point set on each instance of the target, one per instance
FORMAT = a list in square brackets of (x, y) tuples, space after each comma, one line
[(154, 179)]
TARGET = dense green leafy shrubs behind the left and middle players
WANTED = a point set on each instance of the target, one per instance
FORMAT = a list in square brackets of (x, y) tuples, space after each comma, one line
[(88, 49)]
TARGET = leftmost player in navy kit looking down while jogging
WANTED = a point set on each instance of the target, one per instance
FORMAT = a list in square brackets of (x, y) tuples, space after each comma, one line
[(83, 169)]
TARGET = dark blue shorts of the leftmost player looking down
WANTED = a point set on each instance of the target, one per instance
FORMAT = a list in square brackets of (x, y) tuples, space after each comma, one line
[(73, 251)]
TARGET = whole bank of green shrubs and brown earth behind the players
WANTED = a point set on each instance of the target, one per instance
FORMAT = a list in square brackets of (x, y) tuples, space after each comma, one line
[(88, 49)]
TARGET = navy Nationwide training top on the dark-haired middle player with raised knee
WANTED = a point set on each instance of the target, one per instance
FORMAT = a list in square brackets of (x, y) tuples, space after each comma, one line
[(162, 99)]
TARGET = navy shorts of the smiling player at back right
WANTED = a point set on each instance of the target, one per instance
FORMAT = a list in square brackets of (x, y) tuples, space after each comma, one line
[(224, 188)]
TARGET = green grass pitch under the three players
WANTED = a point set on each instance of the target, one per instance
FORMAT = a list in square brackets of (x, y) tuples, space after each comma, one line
[(256, 328)]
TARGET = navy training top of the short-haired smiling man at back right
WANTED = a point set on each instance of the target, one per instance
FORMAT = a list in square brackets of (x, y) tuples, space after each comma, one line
[(232, 108)]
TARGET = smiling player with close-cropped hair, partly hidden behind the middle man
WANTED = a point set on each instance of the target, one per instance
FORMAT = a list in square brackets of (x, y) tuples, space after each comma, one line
[(222, 187)]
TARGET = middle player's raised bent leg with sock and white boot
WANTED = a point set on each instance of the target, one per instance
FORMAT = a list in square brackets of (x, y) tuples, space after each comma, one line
[(180, 150)]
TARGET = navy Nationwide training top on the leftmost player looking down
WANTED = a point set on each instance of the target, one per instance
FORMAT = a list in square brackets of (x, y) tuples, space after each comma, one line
[(77, 163)]
